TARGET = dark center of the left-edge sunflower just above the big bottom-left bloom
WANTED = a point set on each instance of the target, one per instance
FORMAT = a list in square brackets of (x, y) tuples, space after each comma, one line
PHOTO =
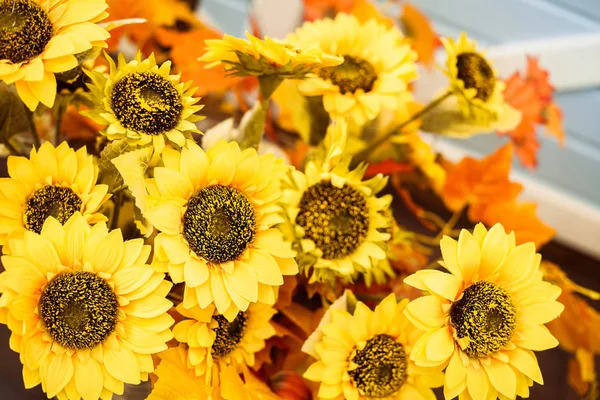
[(50, 201)]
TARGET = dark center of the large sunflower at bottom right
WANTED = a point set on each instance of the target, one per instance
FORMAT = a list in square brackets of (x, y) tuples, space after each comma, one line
[(486, 316)]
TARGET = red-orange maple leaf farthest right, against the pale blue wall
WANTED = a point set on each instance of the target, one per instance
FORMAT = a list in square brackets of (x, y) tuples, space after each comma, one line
[(532, 95)]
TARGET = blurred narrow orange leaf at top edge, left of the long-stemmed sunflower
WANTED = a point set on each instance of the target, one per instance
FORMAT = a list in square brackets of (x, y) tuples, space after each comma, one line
[(418, 28)]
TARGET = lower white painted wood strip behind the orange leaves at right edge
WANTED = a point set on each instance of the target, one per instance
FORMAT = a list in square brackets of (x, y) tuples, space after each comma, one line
[(577, 223)]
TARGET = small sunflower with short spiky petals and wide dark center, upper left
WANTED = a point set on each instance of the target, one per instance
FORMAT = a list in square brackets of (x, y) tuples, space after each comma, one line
[(142, 103)]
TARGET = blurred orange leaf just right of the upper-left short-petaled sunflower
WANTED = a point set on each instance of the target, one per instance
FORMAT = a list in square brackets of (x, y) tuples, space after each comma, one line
[(186, 47)]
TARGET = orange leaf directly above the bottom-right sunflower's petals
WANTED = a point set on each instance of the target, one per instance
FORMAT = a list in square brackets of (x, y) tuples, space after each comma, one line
[(520, 218)]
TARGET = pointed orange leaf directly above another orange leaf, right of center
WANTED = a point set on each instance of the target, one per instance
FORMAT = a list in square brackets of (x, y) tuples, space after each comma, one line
[(479, 183)]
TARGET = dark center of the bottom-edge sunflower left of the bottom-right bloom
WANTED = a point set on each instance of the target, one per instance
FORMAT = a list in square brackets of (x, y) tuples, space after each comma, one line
[(381, 367)]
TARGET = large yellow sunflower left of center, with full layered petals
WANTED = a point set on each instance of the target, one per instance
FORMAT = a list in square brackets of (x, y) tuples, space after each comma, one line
[(216, 211)]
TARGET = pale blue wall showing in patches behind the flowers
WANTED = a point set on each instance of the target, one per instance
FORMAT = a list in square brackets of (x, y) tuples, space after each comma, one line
[(572, 169)]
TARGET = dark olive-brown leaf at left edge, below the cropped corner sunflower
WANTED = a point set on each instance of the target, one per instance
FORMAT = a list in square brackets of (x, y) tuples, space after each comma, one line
[(13, 113)]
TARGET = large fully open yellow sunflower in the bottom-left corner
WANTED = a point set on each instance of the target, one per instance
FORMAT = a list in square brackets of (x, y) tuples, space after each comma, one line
[(85, 310)]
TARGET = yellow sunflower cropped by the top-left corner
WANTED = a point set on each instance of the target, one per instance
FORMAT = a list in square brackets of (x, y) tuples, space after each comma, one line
[(40, 38)]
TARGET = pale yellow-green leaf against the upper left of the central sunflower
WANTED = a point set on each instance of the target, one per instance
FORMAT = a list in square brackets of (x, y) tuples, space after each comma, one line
[(132, 167)]
